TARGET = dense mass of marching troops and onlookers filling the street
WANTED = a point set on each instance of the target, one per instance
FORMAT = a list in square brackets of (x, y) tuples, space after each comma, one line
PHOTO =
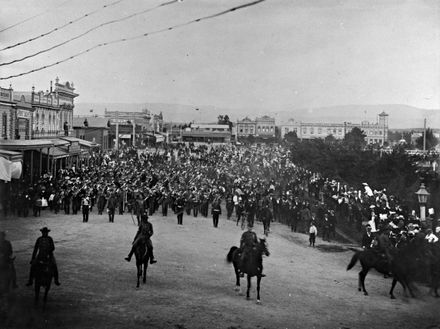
[(190, 179)]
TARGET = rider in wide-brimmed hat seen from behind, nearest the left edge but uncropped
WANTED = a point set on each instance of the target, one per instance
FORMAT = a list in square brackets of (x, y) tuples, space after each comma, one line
[(43, 252)]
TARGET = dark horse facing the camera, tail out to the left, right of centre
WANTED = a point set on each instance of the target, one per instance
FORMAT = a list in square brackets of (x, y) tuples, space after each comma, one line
[(250, 266)]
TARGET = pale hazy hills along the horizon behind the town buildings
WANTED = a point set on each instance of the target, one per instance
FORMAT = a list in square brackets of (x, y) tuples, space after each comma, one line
[(400, 116)]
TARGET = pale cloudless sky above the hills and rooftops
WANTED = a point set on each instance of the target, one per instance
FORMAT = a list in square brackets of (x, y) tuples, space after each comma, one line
[(275, 55)]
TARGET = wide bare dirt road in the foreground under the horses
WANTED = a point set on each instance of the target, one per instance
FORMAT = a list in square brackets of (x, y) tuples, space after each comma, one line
[(192, 286)]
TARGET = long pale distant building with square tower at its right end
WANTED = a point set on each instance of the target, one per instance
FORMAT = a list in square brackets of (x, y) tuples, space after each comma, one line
[(376, 133)]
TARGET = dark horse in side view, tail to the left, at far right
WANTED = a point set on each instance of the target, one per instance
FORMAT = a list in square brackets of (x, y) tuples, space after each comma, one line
[(403, 265)]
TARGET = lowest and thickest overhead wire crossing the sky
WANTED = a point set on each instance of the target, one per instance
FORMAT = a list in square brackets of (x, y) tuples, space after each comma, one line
[(136, 37)]
